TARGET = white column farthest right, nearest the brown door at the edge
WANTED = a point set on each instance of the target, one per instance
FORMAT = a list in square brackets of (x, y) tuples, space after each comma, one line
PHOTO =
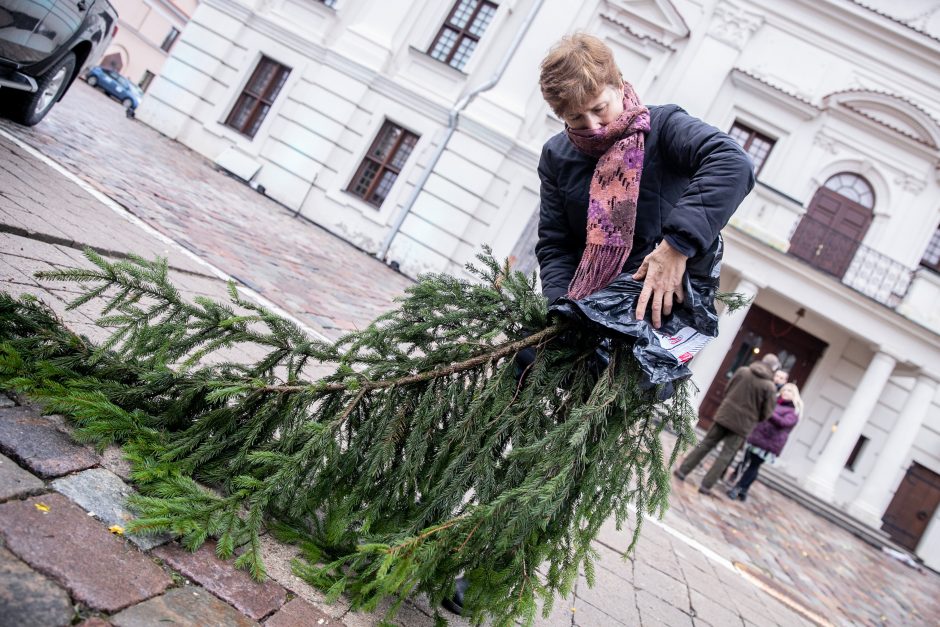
[(874, 496)]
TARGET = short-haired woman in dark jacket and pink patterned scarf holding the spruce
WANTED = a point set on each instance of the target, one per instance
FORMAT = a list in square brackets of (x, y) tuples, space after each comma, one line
[(627, 187)]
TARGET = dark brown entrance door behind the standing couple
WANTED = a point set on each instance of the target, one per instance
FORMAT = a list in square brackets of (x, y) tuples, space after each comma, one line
[(762, 332)]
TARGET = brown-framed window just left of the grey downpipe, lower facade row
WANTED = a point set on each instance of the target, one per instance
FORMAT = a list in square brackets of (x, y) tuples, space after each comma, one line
[(383, 163)]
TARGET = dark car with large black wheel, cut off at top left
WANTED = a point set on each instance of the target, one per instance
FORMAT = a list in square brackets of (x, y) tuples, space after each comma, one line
[(44, 46)]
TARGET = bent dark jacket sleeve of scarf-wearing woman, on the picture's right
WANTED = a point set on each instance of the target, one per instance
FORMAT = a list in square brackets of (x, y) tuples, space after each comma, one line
[(721, 175)]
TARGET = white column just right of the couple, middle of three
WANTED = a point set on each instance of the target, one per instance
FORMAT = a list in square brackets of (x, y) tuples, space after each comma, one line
[(822, 479)]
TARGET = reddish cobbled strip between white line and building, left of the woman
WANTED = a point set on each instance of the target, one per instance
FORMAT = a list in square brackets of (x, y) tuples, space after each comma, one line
[(290, 261)]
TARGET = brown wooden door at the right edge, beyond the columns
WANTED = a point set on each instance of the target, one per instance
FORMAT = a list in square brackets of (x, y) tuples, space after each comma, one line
[(912, 507)]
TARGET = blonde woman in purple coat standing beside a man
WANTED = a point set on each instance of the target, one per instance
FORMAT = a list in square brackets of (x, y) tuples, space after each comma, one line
[(768, 438)]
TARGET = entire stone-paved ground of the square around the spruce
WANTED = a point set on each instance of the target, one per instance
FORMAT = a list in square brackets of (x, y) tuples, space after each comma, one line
[(795, 568)]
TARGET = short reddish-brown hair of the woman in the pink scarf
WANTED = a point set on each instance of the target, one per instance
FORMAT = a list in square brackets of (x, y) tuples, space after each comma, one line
[(575, 70)]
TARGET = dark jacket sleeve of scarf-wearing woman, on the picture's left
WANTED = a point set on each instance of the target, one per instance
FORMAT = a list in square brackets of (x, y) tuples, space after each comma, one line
[(557, 259)]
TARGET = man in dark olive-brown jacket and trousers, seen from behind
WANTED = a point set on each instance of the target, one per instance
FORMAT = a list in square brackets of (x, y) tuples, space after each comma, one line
[(749, 398)]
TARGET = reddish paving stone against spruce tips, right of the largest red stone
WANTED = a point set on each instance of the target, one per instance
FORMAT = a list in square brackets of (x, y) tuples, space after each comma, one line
[(220, 577)]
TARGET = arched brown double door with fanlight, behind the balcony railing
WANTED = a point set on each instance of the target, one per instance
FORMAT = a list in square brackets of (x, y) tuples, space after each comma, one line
[(835, 223)]
